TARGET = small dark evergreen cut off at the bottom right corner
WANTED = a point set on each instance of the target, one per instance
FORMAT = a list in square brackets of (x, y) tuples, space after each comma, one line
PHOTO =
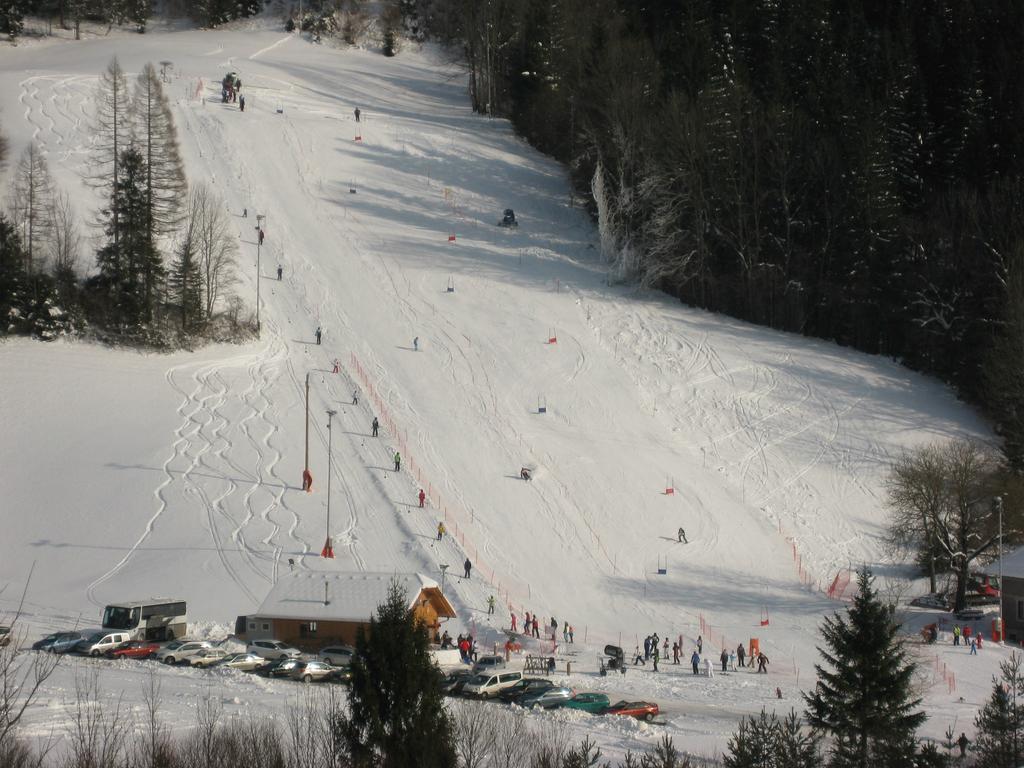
[(1000, 743)]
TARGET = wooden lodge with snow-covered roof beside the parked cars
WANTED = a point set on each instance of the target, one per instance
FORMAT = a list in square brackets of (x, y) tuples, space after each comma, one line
[(313, 610)]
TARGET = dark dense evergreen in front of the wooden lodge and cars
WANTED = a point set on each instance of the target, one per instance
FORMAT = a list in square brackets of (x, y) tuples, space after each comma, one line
[(397, 718)]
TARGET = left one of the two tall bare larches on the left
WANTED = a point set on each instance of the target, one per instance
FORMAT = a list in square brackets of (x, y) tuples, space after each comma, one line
[(111, 135)]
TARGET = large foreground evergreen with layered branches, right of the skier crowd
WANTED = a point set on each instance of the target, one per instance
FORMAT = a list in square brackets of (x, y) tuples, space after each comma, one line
[(864, 699)]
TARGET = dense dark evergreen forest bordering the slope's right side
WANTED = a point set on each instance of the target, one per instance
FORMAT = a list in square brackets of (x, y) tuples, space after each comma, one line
[(844, 169)]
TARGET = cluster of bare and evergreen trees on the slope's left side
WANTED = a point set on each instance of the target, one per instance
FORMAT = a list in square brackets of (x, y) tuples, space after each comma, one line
[(137, 291)]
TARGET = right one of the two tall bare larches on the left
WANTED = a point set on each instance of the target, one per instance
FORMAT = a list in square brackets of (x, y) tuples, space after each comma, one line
[(157, 140)]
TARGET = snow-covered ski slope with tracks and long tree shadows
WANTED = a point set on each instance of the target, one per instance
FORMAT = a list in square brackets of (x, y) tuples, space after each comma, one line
[(127, 475)]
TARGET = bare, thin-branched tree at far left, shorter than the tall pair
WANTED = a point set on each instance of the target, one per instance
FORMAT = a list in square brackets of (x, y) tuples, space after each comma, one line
[(32, 206)]
